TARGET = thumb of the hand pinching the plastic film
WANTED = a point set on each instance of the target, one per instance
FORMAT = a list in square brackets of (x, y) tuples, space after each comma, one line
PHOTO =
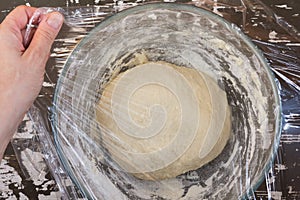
[(39, 48)]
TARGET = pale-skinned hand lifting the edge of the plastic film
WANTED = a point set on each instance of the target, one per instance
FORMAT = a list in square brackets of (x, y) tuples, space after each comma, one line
[(22, 69)]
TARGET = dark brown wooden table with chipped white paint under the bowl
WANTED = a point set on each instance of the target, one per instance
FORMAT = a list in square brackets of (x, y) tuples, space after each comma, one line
[(25, 175)]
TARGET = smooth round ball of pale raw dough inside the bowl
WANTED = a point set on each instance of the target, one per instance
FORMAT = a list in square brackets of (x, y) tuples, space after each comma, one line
[(160, 120)]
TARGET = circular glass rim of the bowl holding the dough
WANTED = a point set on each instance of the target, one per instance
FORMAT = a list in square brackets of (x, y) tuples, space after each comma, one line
[(180, 7)]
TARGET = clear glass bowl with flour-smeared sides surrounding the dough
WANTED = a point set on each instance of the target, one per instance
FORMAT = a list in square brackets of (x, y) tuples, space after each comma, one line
[(185, 36)]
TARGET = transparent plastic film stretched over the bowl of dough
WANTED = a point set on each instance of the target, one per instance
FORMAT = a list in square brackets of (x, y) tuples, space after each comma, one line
[(168, 101)]
